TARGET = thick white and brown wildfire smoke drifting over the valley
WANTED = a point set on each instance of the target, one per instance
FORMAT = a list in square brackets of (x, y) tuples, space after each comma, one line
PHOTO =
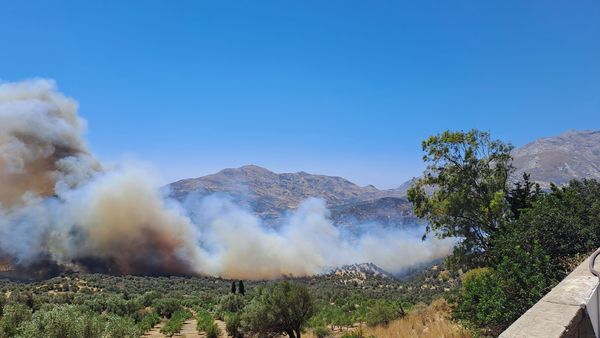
[(59, 205)]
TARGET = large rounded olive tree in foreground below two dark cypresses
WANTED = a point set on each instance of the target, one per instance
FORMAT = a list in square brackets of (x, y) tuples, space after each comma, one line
[(281, 308)]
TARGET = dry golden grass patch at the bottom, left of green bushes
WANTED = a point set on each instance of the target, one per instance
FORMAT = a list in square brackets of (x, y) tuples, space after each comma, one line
[(423, 321)]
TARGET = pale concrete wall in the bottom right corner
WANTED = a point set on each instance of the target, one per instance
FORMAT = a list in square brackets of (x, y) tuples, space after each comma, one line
[(569, 310)]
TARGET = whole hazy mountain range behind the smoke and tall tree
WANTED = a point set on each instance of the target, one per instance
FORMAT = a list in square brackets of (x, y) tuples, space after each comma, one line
[(571, 155)]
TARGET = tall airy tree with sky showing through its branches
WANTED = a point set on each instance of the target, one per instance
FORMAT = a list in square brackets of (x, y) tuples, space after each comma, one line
[(463, 191)]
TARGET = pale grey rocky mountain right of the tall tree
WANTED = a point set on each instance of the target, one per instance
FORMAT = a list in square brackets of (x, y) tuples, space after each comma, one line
[(559, 159)]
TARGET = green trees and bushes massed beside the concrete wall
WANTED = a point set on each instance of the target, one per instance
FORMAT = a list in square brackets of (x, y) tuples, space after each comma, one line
[(516, 241)]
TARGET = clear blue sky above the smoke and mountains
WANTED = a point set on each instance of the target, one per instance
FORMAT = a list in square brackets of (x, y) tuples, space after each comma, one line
[(346, 88)]
